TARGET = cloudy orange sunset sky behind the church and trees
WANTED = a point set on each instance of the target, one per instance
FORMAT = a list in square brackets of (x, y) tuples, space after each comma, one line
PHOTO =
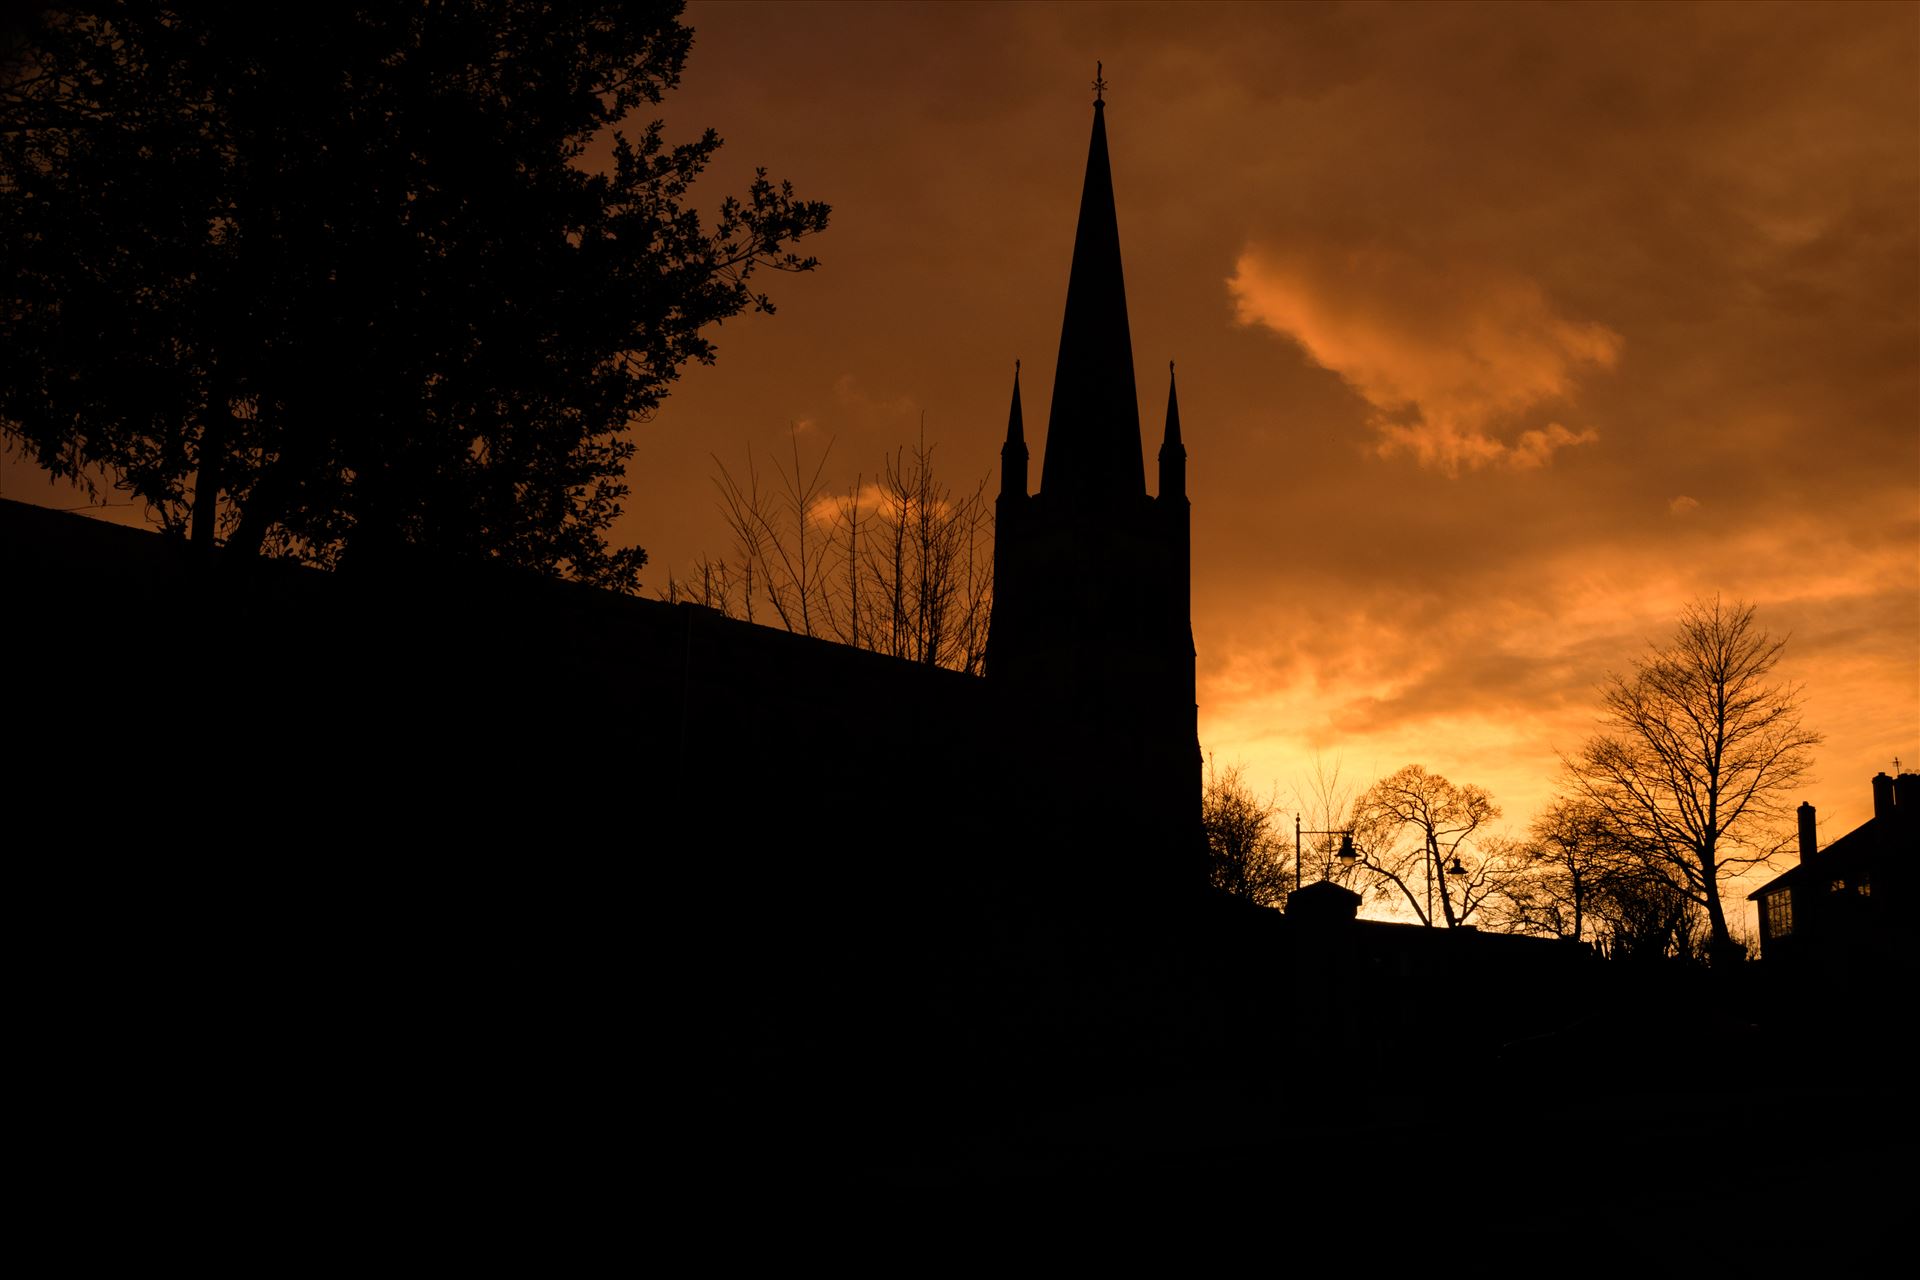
[(1502, 333)]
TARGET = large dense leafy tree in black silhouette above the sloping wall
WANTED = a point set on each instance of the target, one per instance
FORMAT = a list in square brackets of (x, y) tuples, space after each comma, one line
[(347, 281)]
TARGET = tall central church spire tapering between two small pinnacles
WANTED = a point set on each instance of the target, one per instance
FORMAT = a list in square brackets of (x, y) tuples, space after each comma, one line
[(1093, 429)]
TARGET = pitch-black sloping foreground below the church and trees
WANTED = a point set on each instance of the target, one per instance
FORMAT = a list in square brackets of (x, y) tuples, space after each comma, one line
[(485, 909)]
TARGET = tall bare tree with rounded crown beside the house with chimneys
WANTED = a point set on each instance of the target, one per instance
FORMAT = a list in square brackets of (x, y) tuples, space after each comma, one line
[(1700, 755)]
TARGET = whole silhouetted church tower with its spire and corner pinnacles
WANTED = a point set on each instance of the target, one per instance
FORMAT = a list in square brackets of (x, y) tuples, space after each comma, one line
[(1092, 646)]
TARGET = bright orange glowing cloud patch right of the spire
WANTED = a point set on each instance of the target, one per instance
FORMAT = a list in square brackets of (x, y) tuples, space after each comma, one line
[(1451, 358)]
